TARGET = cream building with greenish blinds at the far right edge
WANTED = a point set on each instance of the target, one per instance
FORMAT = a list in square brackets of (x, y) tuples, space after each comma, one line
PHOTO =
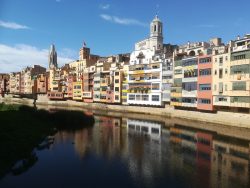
[(239, 89)]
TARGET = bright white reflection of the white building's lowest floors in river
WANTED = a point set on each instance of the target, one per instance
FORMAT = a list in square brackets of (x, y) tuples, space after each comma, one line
[(145, 127)]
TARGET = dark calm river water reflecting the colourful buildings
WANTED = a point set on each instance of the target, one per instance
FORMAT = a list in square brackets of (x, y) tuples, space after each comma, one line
[(138, 151)]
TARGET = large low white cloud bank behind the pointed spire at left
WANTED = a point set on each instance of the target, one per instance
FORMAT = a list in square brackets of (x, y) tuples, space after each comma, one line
[(15, 58)]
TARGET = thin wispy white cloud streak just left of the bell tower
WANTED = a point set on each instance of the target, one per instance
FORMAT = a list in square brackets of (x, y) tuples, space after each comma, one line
[(123, 21)]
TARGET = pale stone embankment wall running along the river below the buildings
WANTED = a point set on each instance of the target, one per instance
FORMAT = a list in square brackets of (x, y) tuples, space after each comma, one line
[(223, 118)]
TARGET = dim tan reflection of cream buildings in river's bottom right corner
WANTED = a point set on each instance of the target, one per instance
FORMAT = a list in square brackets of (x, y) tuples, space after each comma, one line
[(230, 165)]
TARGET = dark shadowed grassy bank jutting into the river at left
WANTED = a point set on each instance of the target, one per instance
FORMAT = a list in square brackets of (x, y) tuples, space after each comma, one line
[(23, 128)]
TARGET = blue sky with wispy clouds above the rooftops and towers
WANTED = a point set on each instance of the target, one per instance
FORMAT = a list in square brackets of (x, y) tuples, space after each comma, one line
[(109, 27)]
